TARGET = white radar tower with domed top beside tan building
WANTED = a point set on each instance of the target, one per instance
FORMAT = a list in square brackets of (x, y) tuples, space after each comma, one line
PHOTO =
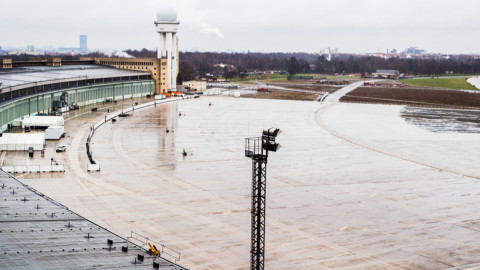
[(167, 27)]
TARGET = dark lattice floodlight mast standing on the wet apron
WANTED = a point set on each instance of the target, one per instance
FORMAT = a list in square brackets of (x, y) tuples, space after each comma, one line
[(257, 149)]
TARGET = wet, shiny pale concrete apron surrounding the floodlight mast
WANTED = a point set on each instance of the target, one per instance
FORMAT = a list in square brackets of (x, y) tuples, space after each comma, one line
[(353, 186)]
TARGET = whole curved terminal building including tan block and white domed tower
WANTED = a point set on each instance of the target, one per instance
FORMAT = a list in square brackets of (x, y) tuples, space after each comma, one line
[(36, 86)]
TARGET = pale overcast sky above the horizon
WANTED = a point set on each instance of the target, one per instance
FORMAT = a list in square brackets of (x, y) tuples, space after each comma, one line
[(354, 26)]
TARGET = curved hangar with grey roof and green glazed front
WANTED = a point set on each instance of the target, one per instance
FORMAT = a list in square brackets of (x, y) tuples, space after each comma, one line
[(33, 90)]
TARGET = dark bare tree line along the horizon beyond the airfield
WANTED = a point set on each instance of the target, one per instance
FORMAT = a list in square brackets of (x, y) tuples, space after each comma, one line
[(200, 63)]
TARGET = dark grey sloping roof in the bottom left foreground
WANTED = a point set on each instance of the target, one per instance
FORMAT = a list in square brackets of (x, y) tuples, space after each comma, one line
[(39, 233)]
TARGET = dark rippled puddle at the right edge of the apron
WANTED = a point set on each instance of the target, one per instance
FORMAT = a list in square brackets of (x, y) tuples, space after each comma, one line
[(443, 120)]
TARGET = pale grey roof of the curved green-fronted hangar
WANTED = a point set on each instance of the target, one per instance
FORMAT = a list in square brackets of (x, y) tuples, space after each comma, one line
[(26, 75)]
